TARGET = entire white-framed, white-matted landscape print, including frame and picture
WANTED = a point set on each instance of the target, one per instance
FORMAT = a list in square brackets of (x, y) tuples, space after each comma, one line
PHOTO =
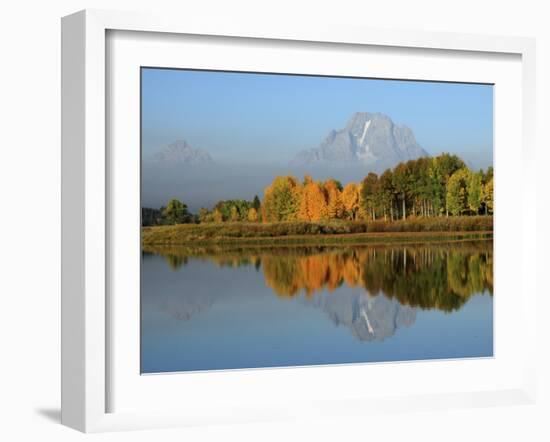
[(268, 223)]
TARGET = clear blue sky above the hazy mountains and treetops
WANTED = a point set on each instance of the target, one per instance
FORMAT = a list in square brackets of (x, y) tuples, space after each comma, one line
[(268, 118)]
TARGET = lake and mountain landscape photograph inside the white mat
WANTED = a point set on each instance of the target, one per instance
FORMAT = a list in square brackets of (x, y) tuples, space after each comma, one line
[(293, 220)]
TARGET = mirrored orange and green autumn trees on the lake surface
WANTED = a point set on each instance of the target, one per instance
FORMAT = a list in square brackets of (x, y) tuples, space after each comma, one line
[(439, 277)]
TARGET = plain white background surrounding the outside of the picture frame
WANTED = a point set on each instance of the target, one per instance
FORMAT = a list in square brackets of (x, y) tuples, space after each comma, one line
[(30, 215)]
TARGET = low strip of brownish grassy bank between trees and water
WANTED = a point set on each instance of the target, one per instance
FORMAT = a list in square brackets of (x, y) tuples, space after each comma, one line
[(303, 233)]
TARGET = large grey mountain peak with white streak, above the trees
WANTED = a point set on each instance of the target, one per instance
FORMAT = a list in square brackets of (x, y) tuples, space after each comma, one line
[(371, 139)]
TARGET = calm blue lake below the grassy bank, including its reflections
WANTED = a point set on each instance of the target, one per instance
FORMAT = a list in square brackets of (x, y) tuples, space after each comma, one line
[(225, 308)]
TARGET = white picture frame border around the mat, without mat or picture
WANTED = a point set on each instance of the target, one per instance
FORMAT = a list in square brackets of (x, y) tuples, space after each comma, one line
[(86, 356)]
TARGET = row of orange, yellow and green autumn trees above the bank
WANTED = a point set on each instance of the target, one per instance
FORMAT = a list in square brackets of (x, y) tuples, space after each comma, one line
[(425, 187)]
